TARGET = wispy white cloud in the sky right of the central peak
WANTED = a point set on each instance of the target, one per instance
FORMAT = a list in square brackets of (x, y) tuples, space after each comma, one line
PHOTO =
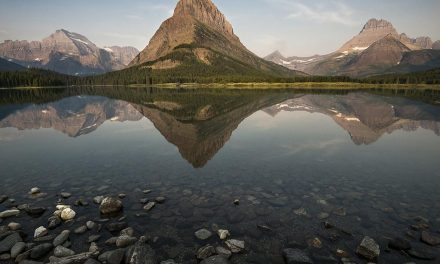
[(321, 12)]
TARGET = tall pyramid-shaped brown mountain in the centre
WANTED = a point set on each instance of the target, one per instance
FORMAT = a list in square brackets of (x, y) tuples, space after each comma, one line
[(198, 39)]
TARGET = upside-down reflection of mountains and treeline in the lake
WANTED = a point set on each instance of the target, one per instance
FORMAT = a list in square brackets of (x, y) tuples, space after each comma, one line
[(199, 123)]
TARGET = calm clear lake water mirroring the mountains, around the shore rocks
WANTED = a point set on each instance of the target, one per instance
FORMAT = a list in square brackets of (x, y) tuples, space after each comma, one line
[(366, 162)]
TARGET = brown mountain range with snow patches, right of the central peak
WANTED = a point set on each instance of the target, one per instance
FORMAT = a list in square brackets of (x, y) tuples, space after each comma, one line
[(377, 49)]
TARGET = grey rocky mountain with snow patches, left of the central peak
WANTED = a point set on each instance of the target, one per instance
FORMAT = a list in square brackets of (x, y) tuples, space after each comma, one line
[(64, 52)]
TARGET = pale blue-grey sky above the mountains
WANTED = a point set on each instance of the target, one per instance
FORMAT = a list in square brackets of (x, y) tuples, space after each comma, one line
[(294, 27)]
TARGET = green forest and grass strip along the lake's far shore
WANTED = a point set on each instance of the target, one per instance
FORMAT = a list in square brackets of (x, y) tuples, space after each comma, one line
[(232, 74)]
